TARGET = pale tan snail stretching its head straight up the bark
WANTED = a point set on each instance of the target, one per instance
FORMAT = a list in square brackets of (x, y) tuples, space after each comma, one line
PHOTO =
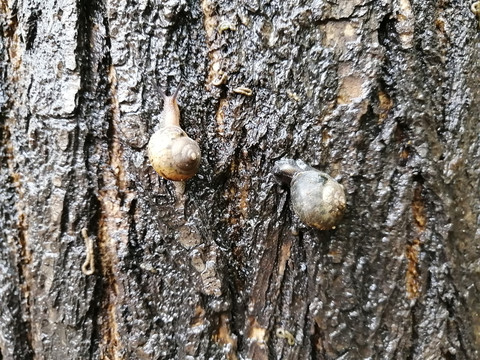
[(173, 155)]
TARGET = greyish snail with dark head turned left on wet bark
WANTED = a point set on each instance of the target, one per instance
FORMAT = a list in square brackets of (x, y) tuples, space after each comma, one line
[(317, 199)]
